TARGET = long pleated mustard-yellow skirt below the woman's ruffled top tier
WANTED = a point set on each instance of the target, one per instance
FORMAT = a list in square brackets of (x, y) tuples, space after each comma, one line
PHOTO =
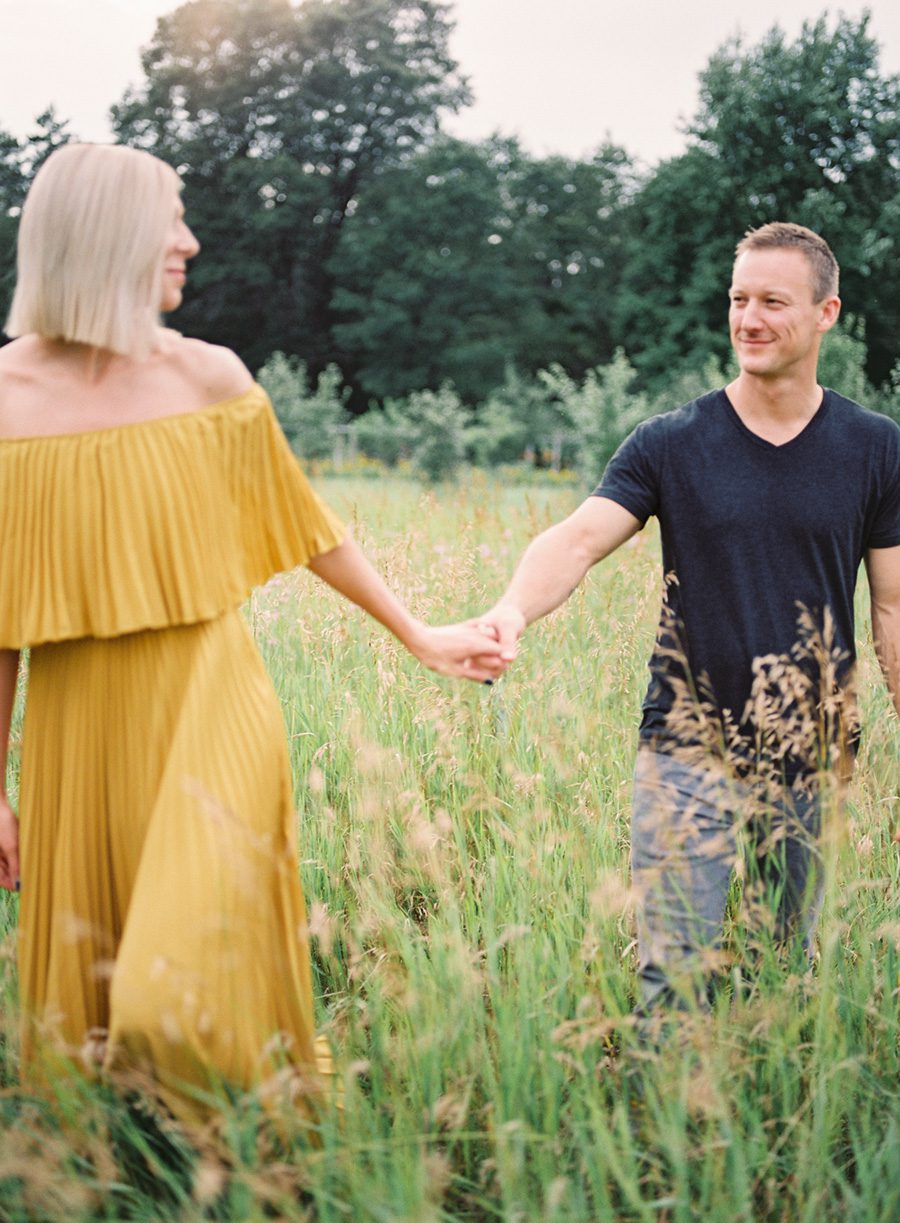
[(162, 922)]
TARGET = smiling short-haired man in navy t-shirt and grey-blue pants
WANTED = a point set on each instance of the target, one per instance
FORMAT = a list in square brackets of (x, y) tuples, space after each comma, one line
[(769, 493)]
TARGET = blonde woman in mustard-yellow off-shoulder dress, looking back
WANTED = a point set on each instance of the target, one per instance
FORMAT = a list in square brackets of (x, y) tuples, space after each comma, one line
[(145, 490)]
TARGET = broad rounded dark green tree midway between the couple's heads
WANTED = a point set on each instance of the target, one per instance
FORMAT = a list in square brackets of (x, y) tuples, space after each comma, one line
[(471, 259)]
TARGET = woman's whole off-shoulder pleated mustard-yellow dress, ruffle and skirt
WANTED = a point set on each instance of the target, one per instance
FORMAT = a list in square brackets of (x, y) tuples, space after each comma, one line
[(162, 919)]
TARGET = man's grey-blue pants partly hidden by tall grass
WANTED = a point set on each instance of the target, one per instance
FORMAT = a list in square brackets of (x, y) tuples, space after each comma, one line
[(690, 826)]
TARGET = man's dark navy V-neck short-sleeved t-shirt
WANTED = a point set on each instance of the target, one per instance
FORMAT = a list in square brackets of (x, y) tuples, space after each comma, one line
[(761, 550)]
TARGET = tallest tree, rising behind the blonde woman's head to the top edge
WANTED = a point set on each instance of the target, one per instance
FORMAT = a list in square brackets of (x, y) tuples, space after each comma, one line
[(278, 116)]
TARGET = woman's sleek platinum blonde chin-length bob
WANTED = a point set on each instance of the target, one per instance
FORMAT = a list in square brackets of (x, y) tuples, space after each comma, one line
[(91, 249)]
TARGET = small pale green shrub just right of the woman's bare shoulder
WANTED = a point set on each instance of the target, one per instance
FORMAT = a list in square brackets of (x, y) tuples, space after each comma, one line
[(311, 418)]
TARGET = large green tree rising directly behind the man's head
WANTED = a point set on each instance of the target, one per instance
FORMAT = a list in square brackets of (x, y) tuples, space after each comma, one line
[(803, 131)]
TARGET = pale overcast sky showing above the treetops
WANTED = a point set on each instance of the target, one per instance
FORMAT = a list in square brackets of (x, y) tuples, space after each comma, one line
[(562, 75)]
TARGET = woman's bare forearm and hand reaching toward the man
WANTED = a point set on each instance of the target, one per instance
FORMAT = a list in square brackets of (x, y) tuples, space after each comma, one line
[(460, 650)]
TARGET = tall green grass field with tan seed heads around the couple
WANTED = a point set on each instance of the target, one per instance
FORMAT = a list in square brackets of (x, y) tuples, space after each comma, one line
[(464, 853)]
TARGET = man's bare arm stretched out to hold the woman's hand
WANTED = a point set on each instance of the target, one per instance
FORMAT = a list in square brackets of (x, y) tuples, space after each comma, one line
[(555, 564)]
